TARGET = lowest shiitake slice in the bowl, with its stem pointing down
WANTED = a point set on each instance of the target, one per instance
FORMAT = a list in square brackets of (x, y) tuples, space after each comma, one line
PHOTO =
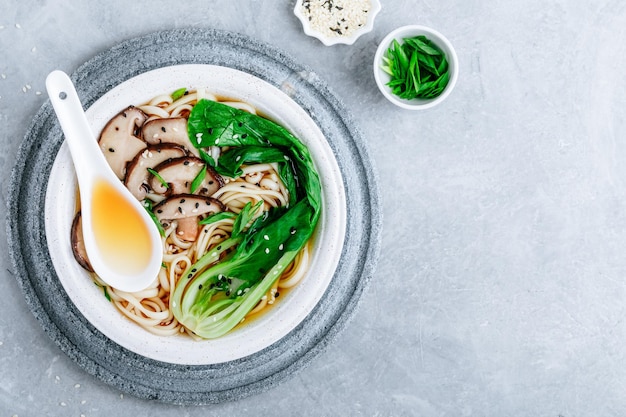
[(186, 209)]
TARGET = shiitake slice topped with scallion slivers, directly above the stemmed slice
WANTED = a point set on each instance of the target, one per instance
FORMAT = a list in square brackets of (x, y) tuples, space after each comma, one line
[(179, 174)]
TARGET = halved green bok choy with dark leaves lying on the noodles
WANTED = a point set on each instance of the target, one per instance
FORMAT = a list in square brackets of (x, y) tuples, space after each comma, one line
[(216, 293)]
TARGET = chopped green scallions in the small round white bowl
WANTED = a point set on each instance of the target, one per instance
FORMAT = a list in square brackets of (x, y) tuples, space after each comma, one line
[(418, 68)]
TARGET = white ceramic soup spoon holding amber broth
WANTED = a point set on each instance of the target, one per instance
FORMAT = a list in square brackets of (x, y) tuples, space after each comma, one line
[(122, 242)]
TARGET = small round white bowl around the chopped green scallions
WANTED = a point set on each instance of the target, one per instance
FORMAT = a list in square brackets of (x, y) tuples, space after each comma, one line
[(382, 78)]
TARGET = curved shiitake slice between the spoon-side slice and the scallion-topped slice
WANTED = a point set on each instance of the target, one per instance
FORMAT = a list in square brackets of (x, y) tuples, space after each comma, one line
[(137, 174)]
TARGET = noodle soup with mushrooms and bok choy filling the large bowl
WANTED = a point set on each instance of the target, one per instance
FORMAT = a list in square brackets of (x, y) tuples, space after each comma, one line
[(236, 198)]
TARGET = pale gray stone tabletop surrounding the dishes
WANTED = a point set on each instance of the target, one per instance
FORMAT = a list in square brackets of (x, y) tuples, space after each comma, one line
[(500, 287)]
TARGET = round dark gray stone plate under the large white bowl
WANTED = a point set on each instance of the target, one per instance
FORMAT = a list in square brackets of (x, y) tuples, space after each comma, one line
[(167, 382)]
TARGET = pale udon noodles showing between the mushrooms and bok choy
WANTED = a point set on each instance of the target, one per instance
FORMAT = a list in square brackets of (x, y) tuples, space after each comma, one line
[(150, 308)]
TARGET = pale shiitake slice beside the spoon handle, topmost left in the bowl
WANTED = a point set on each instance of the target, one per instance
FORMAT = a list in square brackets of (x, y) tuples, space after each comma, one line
[(118, 140)]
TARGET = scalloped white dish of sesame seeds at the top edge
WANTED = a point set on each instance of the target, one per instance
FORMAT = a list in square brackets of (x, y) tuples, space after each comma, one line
[(343, 16)]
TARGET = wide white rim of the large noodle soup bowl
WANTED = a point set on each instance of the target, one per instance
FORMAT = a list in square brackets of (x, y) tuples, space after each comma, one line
[(289, 311)]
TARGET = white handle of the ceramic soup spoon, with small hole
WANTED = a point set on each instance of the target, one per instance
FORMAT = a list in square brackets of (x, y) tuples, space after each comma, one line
[(78, 134)]
